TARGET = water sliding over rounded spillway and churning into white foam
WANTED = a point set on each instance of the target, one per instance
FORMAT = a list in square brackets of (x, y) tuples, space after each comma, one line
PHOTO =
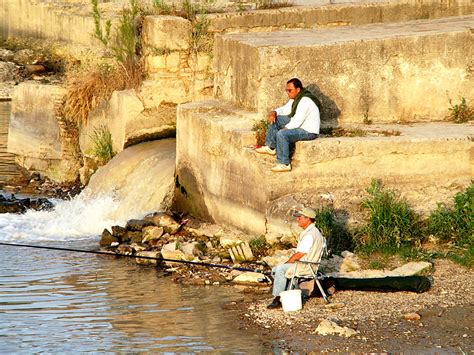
[(132, 184)]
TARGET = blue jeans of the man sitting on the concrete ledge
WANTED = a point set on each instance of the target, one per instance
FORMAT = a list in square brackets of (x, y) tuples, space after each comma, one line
[(282, 138)]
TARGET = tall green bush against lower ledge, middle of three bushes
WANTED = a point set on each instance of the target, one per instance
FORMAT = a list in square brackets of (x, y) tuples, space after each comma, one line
[(391, 223)]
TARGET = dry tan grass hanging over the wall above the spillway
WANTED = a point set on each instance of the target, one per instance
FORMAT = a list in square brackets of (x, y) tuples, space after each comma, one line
[(86, 91)]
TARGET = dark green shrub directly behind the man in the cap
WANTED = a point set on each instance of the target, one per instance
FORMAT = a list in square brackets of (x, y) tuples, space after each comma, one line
[(336, 232)]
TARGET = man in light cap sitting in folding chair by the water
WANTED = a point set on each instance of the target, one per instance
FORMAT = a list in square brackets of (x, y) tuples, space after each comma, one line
[(307, 238)]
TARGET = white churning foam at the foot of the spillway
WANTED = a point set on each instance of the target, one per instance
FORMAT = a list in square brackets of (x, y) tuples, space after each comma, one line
[(79, 218)]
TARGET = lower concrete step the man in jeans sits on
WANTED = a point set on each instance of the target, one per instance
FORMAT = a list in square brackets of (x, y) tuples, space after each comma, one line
[(221, 178)]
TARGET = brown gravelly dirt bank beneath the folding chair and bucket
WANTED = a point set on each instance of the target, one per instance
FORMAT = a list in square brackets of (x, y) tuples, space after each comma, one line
[(445, 326)]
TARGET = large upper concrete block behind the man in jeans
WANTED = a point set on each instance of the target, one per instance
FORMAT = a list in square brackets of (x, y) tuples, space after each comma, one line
[(389, 72)]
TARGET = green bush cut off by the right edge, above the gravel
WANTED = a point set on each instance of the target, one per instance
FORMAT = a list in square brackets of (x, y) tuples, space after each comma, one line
[(454, 224)]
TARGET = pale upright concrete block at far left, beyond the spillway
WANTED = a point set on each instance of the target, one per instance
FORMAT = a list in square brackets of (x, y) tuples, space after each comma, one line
[(34, 131)]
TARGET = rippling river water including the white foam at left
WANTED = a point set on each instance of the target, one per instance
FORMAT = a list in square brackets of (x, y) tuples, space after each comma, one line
[(64, 302)]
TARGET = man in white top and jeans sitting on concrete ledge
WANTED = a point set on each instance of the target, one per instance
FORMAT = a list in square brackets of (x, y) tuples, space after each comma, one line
[(297, 120)]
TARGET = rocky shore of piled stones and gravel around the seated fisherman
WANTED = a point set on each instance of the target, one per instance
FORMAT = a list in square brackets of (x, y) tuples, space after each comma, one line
[(361, 321)]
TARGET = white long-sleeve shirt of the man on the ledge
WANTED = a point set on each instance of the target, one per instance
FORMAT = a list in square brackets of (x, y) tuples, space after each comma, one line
[(306, 115)]
